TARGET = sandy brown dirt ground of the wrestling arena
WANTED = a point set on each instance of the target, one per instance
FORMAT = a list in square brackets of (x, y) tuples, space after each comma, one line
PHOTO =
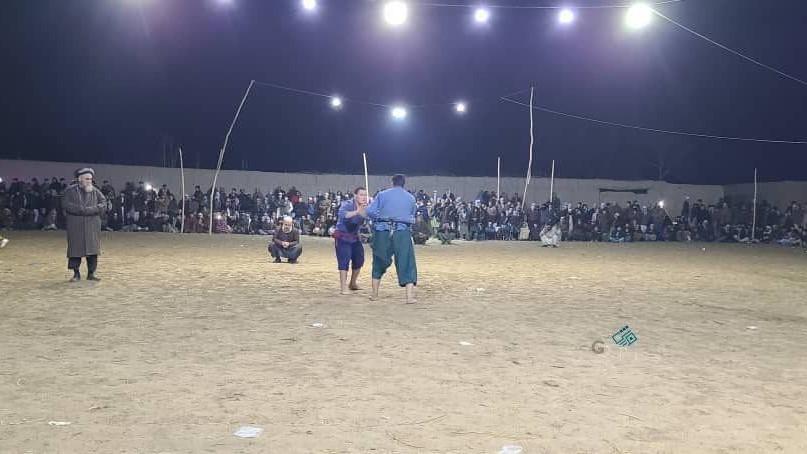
[(187, 338)]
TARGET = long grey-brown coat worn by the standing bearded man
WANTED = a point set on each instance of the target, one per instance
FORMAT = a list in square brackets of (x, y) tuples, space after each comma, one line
[(83, 211)]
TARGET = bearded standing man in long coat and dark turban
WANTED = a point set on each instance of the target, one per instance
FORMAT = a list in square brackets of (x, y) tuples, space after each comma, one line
[(83, 204)]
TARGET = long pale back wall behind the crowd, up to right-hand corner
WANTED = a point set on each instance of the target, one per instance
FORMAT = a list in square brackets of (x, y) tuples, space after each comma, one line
[(569, 190)]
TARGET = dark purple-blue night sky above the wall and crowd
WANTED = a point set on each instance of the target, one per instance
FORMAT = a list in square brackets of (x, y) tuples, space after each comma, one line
[(120, 81)]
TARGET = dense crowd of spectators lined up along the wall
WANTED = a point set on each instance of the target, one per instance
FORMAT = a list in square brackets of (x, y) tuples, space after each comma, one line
[(35, 205)]
